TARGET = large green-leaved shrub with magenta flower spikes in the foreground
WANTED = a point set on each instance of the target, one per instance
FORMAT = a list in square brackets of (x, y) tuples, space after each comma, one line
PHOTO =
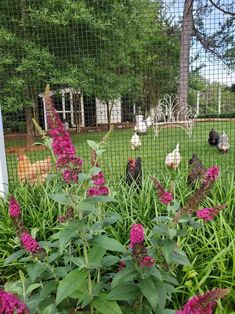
[(81, 268)]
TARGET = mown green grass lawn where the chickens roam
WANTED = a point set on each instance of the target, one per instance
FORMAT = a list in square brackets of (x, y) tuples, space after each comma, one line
[(152, 151)]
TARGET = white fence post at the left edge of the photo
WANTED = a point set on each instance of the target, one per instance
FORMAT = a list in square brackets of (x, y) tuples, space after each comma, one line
[(3, 163)]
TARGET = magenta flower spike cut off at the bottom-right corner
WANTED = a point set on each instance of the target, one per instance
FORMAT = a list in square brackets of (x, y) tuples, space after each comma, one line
[(203, 304)]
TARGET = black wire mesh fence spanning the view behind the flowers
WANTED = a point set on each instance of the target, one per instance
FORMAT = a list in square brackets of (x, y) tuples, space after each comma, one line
[(113, 63)]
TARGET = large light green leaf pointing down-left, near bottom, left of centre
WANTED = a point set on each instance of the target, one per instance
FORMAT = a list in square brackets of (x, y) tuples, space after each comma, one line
[(70, 284)]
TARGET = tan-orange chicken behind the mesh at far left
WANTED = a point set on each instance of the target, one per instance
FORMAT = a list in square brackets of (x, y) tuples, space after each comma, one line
[(33, 172)]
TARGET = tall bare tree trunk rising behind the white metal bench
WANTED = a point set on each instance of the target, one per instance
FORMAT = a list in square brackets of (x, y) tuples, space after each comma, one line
[(186, 35)]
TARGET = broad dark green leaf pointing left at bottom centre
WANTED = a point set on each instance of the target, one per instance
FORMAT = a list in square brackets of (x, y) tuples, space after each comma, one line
[(124, 292)]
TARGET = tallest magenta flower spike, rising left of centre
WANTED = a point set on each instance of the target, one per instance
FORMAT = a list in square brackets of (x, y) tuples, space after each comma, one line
[(62, 145)]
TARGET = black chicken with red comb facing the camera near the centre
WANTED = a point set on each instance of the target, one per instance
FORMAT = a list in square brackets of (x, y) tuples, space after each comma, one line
[(134, 172)]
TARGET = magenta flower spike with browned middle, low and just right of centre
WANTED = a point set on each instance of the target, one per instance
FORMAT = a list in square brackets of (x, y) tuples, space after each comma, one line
[(139, 251)]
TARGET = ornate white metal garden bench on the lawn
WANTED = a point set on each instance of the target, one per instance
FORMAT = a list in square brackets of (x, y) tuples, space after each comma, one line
[(167, 114)]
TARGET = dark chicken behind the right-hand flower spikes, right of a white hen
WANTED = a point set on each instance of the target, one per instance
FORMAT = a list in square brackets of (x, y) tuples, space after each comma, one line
[(197, 170)]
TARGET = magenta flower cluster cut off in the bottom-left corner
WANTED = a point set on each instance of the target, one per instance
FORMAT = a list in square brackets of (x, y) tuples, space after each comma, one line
[(10, 304)]
